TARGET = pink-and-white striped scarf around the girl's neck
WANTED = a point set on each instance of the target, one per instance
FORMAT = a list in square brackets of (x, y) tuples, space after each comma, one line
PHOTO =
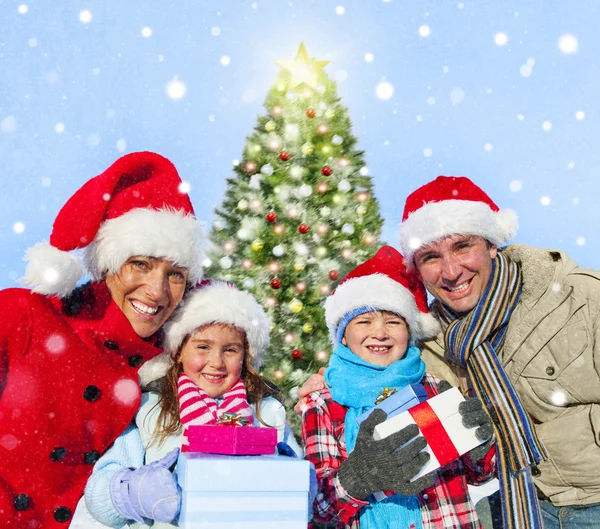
[(196, 407)]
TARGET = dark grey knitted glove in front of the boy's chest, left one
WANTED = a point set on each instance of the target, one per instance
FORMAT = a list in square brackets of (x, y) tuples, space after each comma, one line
[(381, 465)]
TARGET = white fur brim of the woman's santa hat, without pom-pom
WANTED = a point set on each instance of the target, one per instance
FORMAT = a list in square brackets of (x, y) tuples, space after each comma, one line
[(165, 233)]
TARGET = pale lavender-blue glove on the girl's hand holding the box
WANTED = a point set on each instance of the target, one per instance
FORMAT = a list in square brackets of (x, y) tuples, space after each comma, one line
[(150, 491)]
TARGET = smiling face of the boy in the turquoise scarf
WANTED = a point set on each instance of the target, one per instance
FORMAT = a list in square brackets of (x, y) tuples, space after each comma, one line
[(378, 337)]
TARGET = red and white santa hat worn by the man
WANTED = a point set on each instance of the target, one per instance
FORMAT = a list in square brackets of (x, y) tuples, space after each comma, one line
[(451, 205)]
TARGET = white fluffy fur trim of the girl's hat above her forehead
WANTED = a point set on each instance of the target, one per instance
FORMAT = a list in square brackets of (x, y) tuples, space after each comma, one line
[(220, 302)]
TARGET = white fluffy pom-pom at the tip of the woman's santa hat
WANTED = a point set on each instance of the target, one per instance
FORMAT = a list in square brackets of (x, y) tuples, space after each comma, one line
[(50, 270)]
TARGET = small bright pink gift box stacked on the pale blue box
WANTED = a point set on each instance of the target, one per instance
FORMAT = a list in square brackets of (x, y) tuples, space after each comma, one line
[(230, 440)]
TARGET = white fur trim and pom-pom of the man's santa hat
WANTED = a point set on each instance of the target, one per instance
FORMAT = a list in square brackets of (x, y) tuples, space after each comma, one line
[(436, 220)]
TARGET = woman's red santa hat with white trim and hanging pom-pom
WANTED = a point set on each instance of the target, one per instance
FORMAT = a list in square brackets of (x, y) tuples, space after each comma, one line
[(138, 206)]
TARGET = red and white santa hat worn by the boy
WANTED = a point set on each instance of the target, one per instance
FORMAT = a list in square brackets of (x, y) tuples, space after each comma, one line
[(381, 283)]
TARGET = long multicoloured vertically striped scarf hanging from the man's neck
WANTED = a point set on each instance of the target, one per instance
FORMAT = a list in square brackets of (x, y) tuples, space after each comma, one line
[(472, 342)]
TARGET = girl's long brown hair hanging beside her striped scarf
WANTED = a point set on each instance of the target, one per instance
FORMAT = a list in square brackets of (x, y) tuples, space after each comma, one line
[(168, 423)]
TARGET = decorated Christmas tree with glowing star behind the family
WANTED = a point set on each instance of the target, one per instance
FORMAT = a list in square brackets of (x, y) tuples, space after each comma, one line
[(298, 214)]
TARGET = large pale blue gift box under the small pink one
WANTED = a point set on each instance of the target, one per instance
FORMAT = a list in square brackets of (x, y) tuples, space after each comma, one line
[(243, 492)]
